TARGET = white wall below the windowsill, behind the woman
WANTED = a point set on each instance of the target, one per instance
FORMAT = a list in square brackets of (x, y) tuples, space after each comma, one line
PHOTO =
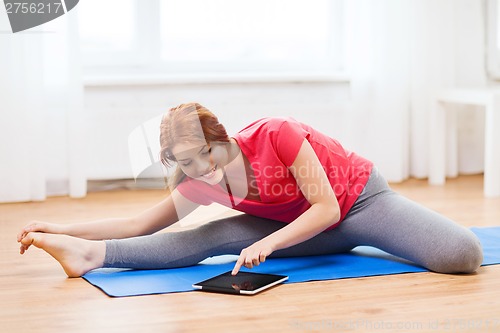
[(113, 112)]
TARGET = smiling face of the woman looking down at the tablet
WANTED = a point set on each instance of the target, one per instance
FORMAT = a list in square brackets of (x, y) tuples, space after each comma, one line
[(202, 161)]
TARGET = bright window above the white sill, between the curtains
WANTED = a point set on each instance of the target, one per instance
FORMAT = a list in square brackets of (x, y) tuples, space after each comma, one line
[(216, 36)]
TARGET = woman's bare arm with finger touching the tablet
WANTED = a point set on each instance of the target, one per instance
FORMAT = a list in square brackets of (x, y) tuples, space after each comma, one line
[(324, 211)]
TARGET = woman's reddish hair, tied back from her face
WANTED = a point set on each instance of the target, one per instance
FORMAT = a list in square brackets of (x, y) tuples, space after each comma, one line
[(181, 125)]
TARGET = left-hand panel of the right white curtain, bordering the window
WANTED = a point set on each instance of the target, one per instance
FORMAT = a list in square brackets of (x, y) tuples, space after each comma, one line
[(377, 35)]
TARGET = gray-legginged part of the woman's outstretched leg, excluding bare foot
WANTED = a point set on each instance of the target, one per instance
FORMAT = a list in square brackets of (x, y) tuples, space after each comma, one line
[(225, 236)]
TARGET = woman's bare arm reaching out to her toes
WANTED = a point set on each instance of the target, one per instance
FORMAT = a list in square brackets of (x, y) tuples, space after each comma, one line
[(148, 222)]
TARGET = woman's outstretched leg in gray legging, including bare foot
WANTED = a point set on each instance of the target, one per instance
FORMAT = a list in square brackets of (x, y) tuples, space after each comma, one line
[(173, 249)]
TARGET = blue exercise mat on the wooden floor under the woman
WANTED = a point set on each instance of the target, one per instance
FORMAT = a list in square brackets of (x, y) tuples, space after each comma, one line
[(362, 261)]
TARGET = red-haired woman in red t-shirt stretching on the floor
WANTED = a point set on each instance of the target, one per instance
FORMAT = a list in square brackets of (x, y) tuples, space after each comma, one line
[(300, 191)]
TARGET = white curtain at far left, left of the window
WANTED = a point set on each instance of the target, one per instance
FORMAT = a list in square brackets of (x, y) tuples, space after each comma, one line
[(40, 82)]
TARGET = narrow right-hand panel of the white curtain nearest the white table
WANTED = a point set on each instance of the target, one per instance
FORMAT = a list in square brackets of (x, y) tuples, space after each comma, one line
[(433, 37)]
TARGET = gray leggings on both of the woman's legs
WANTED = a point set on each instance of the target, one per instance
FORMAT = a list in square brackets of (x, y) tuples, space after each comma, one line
[(380, 218)]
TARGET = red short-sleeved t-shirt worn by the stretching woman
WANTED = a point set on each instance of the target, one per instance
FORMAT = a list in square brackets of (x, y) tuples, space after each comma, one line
[(271, 146)]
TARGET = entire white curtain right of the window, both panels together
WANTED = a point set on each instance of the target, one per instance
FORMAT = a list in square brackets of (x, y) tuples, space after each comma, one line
[(401, 53)]
